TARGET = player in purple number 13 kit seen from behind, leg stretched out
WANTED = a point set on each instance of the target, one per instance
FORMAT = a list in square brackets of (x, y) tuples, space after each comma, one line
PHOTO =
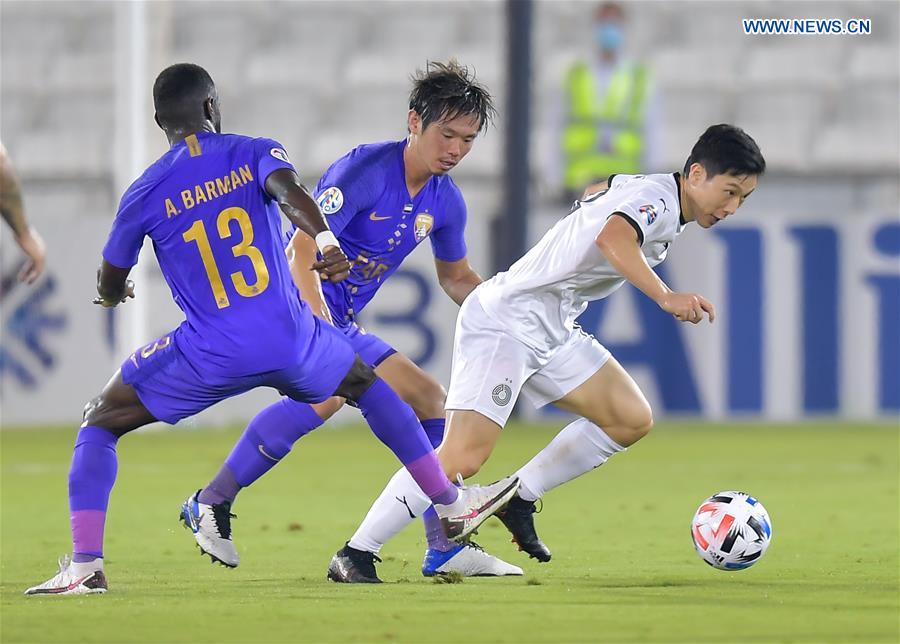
[(211, 206)]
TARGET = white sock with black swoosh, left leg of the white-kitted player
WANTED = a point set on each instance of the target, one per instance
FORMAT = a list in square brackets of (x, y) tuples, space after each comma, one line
[(401, 501)]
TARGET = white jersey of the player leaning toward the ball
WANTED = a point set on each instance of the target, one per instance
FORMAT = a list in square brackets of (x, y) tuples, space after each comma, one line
[(539, 297)]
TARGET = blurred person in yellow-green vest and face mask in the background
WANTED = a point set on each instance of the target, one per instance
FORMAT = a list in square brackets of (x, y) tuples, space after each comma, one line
[(608, 116)]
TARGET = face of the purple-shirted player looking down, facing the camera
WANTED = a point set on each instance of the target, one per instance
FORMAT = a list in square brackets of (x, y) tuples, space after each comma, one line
[(444, 143)]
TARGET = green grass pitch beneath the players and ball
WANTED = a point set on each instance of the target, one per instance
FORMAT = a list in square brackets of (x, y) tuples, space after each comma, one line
[(623, 565)]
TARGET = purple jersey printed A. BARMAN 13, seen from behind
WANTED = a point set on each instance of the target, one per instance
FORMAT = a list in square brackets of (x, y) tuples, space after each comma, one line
[(217, 237)]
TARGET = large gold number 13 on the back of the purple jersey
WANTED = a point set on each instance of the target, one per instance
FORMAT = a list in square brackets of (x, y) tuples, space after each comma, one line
[(245, 248)]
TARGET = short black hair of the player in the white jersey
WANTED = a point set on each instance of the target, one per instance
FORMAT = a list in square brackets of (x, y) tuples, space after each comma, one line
[(726, 149)]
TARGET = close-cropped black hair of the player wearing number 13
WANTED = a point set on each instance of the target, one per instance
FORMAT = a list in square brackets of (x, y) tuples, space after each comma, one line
[(179, 93)]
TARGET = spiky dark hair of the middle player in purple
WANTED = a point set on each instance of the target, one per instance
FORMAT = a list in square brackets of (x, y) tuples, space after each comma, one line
[(447, 91)]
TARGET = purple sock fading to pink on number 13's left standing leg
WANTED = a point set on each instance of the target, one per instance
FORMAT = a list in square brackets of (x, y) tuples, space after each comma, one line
[(91, 477)]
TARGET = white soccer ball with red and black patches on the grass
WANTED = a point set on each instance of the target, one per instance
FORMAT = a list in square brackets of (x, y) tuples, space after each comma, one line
[(731, 530)]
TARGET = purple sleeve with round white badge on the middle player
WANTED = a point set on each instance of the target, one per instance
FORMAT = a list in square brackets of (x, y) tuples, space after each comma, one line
[(346, 189)]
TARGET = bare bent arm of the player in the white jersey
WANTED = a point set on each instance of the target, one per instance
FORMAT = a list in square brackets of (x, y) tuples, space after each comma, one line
[(620, 244)]
